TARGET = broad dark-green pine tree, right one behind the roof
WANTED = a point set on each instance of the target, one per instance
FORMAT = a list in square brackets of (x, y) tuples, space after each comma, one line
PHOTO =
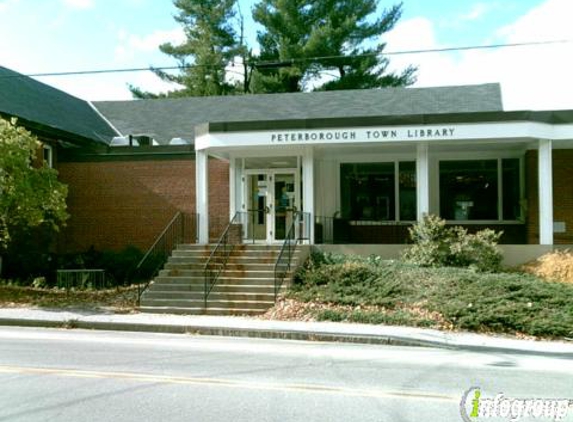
[(304, 40)]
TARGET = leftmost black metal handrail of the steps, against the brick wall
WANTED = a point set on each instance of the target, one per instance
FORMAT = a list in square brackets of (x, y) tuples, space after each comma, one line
[(172, 235)]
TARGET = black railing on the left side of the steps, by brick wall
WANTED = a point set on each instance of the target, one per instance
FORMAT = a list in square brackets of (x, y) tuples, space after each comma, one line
[(181, 229)]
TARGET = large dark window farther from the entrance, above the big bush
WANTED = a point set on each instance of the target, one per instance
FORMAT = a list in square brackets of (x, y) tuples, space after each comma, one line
[(470, 190)]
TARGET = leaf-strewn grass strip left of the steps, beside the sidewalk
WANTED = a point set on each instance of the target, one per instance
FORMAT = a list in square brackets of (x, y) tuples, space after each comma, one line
[(121, 299)]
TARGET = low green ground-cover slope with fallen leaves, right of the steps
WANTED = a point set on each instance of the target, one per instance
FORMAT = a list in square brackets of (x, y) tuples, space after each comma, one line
[(390, 292)]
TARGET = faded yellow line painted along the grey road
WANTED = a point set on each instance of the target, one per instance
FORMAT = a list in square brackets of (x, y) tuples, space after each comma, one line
[(164, 379)]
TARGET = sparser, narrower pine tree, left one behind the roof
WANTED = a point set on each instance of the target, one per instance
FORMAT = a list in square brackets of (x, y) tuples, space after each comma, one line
[(211, 45)]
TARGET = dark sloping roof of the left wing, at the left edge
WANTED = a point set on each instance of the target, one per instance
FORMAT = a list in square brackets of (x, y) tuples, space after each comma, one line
[(48, 108)]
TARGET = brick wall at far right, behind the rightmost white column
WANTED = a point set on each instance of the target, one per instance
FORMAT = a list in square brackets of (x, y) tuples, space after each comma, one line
[(562, 195)]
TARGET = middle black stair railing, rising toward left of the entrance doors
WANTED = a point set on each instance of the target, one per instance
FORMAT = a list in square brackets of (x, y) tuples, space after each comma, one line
[(220, 255)]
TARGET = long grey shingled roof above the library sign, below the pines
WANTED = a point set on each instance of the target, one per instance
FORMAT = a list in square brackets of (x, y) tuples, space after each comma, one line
[(165, 119)]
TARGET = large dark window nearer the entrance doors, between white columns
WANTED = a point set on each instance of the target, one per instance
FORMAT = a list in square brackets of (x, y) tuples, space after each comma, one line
[(370, 191)]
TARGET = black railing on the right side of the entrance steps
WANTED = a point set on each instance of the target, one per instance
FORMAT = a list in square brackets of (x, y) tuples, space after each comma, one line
[(299, 230)]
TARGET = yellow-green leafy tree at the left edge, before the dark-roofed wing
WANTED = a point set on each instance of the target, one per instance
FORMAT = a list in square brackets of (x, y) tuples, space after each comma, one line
[(30, 197)]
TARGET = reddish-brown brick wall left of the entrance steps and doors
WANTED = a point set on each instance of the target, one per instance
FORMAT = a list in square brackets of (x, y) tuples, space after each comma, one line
[(118, 203)]
